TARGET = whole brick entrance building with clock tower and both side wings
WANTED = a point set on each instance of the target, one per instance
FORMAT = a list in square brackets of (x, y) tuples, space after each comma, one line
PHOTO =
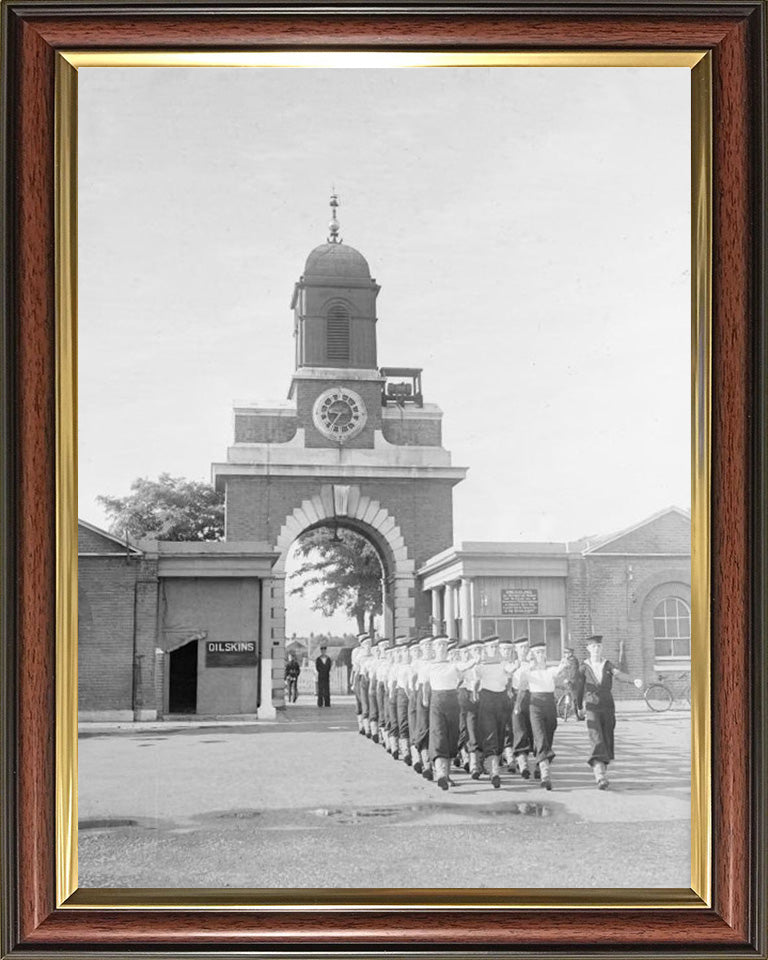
[(171, 628)]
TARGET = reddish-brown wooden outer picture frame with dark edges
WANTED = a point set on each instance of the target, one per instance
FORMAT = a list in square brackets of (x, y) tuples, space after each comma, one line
[(34, 923)]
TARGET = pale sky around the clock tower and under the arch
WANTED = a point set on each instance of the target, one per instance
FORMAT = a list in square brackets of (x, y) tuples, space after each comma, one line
[(529, 227)]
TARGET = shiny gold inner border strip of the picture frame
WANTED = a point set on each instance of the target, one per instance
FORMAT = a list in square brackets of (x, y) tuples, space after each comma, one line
[(68, 895)]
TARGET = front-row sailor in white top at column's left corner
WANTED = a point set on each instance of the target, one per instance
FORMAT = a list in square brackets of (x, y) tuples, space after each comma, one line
[(443, 680)]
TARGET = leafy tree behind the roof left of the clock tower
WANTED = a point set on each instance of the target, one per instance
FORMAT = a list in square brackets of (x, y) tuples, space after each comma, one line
[(169, 508)]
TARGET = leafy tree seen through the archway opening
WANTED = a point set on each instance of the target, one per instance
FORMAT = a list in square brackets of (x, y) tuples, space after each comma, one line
[(347, 568)]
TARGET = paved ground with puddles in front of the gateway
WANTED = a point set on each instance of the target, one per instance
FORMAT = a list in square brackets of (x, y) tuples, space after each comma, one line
[(306, 802)]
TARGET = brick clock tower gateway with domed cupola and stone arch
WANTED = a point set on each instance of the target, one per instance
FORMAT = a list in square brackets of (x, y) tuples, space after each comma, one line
[(356, 445)]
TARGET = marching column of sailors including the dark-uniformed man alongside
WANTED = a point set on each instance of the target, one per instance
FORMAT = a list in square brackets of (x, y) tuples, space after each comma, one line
[(431, 703)]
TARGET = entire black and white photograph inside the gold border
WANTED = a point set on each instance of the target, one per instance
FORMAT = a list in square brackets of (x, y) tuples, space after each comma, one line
[(384, 477)]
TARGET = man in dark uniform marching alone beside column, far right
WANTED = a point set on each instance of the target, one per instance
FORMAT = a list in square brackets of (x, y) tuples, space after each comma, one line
[(593, 695)]
